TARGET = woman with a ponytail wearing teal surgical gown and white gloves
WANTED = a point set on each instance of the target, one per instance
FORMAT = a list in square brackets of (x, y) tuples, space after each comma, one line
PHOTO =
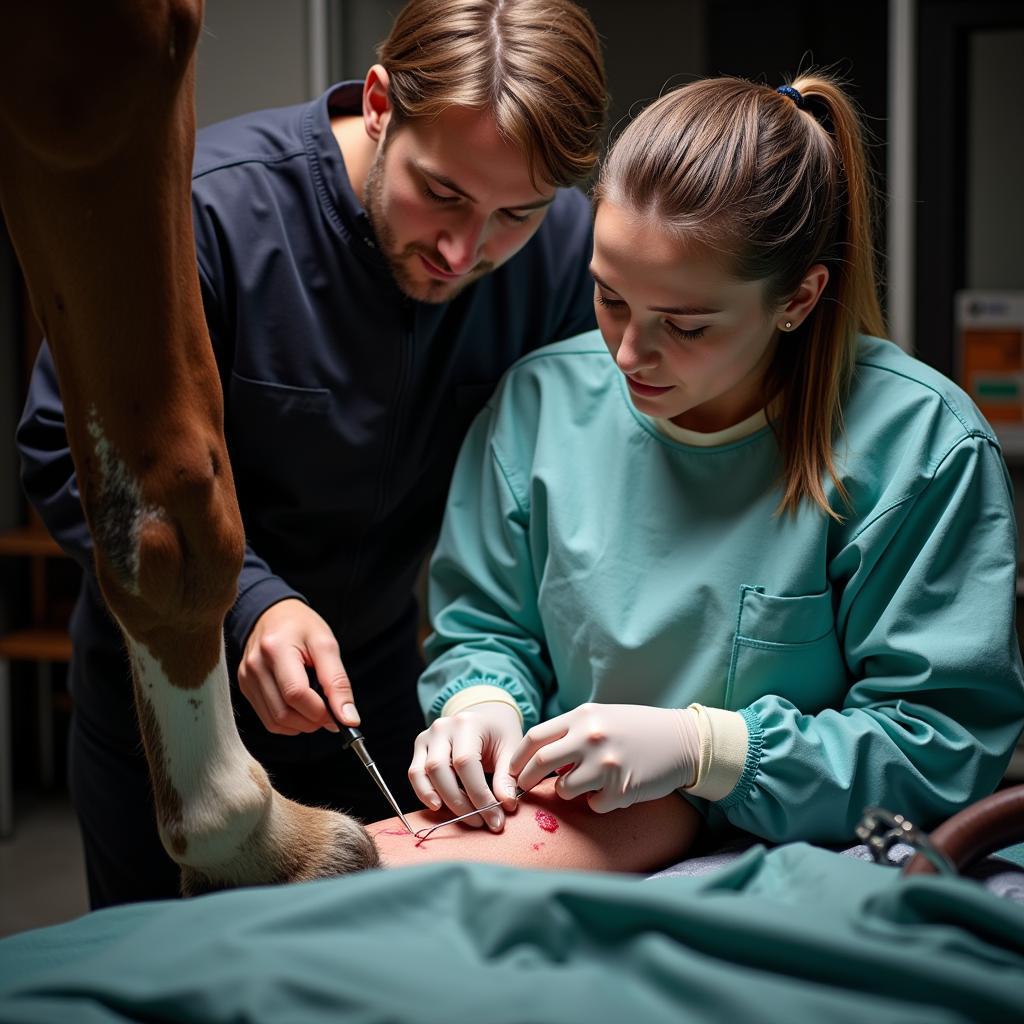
[(734, 544)]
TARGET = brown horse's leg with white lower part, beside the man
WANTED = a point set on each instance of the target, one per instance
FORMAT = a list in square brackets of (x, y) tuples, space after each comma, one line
[(98, 132)]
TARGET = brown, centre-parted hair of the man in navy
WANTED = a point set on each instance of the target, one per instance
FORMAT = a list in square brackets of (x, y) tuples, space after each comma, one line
[(537, 65)]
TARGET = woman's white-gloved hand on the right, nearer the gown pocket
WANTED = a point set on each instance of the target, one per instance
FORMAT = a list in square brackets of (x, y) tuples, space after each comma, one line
[(620, 754)]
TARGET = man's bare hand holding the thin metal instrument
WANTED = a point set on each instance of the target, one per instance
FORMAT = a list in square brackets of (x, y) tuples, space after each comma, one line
[(287, 638)]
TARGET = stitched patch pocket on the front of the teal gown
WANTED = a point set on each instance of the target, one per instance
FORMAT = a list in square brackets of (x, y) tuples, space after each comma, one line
[(787, 647)]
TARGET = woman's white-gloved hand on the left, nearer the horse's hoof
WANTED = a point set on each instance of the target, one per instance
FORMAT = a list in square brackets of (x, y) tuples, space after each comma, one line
[(451, 757)]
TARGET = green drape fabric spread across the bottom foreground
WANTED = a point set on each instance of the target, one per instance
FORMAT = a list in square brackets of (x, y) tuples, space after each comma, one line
[(793, 935)]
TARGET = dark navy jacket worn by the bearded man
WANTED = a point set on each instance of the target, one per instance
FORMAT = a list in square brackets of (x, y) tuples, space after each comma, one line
[(346, 402)]
